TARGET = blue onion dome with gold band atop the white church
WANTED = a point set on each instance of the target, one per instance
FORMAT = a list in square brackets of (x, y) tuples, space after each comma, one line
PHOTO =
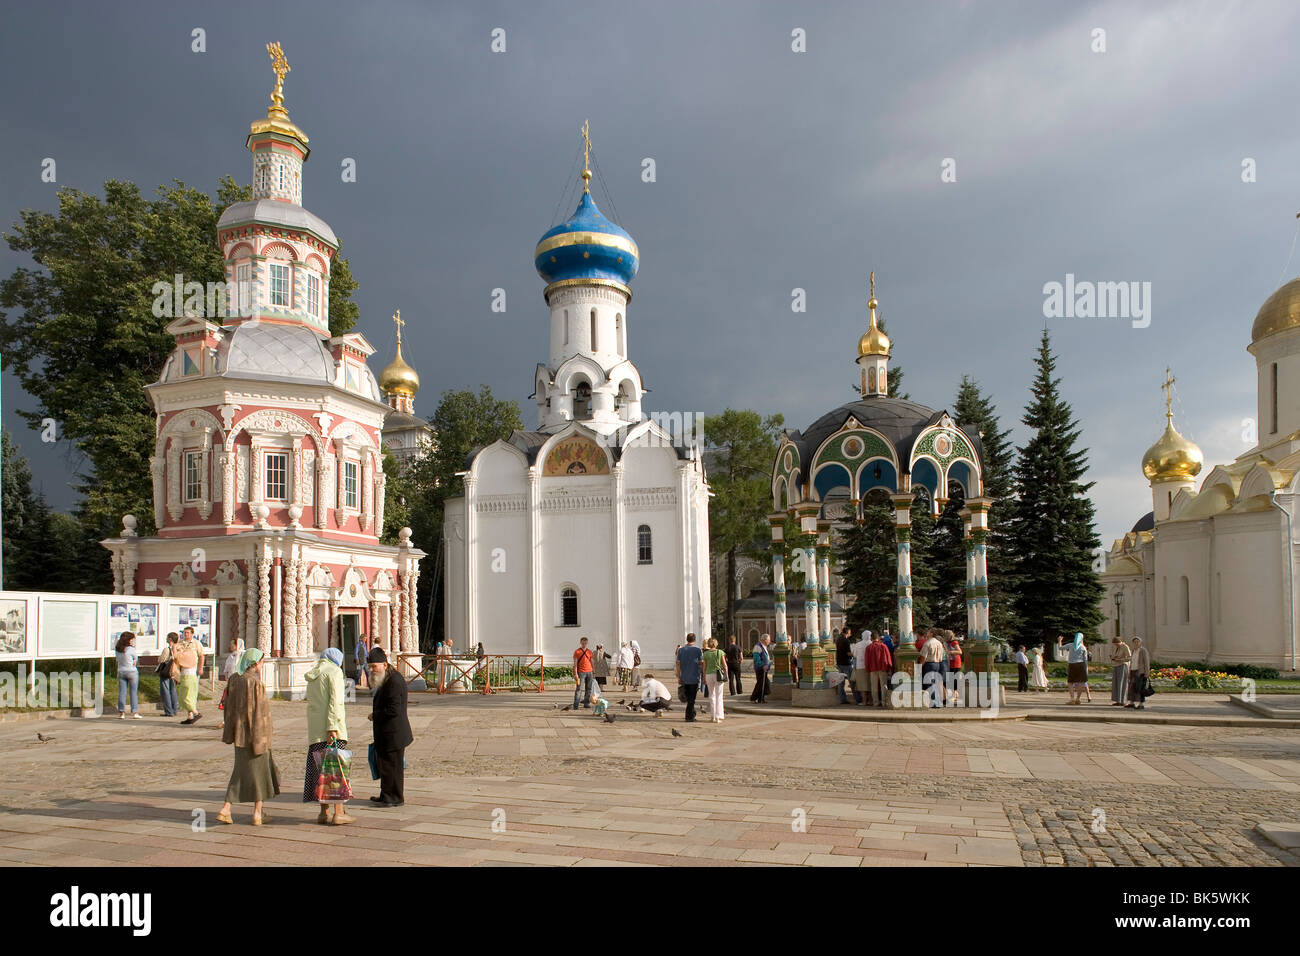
[(587, 248)]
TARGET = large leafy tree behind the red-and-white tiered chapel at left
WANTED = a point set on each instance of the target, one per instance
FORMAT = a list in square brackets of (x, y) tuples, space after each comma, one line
[(81, 325)]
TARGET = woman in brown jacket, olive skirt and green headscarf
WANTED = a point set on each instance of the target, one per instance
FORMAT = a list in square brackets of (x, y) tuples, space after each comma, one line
[(248, 726)]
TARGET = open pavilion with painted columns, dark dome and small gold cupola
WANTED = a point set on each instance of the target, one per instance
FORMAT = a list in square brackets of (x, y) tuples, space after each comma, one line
[(889, 447)]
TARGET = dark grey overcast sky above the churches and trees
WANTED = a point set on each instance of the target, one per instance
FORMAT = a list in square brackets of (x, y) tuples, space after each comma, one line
[(775, 170)]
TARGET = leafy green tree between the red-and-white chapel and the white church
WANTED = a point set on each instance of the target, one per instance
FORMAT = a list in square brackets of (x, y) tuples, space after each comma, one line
[(462, 423)]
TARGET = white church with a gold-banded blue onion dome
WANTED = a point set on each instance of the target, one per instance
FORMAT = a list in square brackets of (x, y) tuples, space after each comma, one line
[(596, 525)]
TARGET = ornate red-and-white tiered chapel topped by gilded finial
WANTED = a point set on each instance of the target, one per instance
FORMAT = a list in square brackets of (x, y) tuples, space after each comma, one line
[(268, 481)]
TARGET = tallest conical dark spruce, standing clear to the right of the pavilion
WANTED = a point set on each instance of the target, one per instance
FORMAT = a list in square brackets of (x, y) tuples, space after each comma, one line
[(1052, 531)]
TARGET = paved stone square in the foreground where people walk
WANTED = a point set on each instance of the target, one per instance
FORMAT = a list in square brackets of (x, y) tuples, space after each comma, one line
[(513, 780)]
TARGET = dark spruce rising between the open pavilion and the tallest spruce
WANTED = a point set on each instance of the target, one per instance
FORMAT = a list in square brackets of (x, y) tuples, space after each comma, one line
[(976, 412)]
